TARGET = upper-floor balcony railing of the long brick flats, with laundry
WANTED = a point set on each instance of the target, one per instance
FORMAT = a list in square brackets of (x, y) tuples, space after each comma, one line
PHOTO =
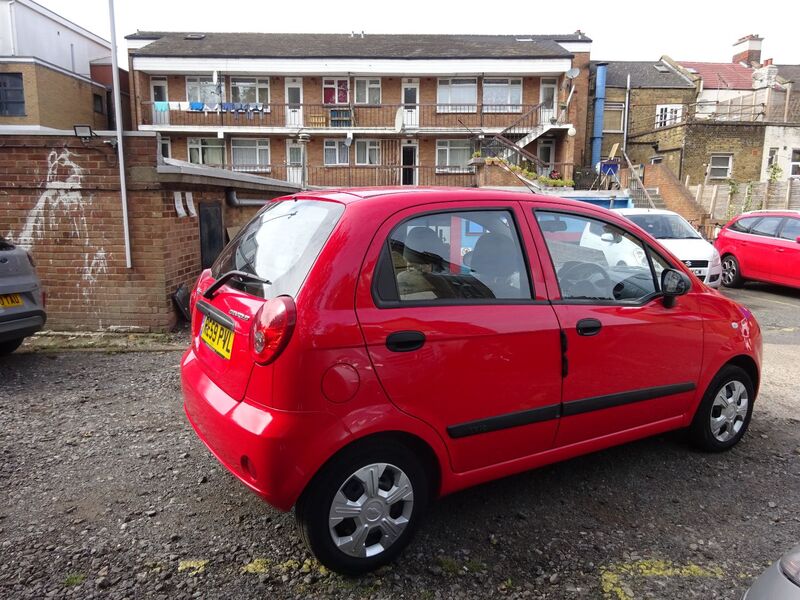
[(326, 116)]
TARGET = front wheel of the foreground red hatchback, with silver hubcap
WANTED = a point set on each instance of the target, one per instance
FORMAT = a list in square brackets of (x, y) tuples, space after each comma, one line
[(724, 414)]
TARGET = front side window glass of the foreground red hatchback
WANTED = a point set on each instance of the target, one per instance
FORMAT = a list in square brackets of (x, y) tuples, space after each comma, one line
[(595, 260)]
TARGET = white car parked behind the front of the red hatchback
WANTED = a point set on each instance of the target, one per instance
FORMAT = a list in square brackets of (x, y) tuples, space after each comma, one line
[(680, 238)]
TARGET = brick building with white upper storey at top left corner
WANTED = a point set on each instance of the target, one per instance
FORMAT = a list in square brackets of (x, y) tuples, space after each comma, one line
[(52, 71)]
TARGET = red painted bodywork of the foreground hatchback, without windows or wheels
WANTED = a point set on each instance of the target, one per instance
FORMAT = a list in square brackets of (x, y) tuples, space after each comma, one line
[(336, 382)]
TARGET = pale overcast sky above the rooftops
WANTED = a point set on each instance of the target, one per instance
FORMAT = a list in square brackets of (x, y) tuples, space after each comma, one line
[(685, 30)]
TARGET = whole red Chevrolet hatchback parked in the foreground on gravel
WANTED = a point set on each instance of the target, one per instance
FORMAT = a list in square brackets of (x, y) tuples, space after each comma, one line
[(356, 354)]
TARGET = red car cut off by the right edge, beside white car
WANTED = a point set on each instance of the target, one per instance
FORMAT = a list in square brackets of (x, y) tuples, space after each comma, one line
[(763, 245)]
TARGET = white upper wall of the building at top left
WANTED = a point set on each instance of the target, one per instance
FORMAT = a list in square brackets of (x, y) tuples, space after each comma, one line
[(45, 35)]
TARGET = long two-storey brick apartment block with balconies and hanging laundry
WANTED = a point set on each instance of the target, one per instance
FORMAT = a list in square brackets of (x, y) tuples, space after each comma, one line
[(362, 109)]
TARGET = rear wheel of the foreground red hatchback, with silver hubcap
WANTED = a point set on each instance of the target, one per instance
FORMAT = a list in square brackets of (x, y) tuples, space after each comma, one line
[(362, 508)]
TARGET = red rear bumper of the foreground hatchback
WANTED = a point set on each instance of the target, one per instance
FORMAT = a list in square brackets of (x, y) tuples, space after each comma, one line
[(274, 453)]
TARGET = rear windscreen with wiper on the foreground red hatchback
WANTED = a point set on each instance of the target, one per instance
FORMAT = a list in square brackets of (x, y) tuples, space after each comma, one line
[(280, 244)]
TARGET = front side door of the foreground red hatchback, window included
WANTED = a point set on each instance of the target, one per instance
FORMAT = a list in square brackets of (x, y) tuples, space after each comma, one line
[(629, 360)]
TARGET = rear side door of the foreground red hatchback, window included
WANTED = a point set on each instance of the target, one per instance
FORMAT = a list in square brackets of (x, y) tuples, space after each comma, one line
[(459, 329)]
